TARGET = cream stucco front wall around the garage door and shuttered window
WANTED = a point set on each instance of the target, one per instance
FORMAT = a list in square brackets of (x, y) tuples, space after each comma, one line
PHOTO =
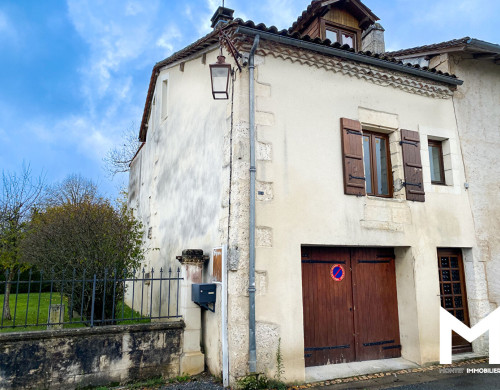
[(300, 172)]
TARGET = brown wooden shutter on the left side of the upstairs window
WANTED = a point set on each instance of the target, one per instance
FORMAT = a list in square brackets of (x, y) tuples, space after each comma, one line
[(352, 156)]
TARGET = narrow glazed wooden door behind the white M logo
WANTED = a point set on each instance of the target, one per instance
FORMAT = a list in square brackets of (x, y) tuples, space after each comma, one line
[(453, 292)]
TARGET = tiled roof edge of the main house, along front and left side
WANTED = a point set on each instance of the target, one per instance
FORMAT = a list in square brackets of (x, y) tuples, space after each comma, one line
[(294, 39)]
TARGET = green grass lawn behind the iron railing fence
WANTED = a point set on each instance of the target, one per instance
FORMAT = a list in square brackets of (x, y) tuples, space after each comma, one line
[(37, 313)]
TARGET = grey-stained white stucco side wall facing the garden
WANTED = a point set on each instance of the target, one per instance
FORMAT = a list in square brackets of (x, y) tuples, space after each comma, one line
[(178, 183)]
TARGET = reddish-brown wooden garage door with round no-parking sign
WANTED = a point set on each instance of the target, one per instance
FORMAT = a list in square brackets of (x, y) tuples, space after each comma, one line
[(352, 319)]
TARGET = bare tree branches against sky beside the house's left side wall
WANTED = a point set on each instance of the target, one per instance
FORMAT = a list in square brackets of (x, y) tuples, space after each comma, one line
[(119, 158)]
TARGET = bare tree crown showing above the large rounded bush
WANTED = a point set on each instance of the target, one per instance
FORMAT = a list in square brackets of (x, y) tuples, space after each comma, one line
[(75, 190)]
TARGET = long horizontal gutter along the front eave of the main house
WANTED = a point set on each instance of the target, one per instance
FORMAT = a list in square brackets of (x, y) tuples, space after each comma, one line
[(332, 51)]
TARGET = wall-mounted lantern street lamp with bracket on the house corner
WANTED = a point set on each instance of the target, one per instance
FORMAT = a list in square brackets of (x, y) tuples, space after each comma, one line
[(220, 72)]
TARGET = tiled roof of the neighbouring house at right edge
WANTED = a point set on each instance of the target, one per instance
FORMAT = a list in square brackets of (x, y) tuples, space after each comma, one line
[(462, 44)]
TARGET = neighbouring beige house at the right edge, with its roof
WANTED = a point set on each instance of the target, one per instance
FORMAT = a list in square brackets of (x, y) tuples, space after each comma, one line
[(476, 104)]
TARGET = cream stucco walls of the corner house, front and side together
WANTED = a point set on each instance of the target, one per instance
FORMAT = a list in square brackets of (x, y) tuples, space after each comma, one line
[(179, 186)]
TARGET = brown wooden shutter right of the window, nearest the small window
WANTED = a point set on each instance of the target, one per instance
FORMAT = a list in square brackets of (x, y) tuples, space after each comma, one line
[(414, 181)]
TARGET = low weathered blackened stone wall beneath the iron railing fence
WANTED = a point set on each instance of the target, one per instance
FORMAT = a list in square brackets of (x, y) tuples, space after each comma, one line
[(71, 358)]
